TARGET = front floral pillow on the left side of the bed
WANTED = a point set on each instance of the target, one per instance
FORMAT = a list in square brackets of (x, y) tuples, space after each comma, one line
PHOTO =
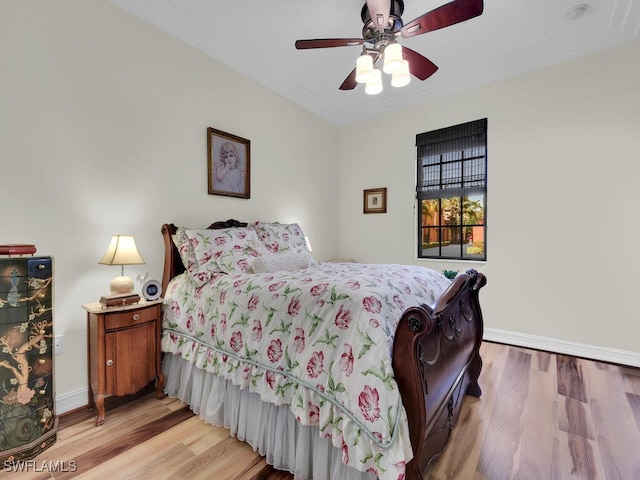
[(221, 250)]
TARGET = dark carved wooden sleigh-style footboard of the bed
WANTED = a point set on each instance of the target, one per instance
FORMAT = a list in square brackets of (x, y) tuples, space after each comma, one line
[(436, 361)]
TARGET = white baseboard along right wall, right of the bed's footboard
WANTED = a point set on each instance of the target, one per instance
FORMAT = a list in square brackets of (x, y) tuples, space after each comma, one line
[(612, 355)]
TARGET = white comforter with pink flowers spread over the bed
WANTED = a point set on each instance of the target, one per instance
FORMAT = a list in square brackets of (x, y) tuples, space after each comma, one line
[(317, 339)]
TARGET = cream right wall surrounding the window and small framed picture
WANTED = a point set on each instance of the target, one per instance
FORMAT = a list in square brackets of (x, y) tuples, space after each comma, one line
[(563, 171)]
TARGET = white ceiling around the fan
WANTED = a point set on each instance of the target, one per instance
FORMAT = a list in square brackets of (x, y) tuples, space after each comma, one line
[(256, 38)]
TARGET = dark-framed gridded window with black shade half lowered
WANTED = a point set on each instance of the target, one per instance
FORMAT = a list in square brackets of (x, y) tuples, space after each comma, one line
[(452, 192)]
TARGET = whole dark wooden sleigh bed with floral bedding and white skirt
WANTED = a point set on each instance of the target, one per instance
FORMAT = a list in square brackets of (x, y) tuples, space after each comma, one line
[(329, 370)]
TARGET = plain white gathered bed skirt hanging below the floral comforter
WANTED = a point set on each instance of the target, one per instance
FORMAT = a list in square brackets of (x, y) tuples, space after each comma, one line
[(270, 429)]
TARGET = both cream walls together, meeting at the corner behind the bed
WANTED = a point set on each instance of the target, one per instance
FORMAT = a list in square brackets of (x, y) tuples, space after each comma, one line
[(103, 130)]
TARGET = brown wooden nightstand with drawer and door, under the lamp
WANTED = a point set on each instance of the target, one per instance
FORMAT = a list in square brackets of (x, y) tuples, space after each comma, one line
[(124, 350)]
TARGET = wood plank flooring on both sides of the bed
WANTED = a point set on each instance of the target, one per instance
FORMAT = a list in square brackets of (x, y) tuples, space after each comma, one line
[(541, 416)]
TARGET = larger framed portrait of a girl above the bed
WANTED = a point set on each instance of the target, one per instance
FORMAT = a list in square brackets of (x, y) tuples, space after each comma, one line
[(228, 164)]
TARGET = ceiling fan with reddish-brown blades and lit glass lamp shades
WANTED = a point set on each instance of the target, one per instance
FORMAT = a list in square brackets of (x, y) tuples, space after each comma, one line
[(382, 25)]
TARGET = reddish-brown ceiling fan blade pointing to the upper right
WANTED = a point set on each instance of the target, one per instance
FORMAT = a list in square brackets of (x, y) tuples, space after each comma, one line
[(444, 16)]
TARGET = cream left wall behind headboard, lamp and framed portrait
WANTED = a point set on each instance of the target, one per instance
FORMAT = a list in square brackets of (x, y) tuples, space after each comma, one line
[(103, 130)]
